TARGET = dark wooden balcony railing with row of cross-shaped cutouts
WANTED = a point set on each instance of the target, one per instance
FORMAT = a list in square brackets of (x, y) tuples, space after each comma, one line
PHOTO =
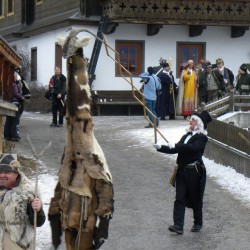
[(229, 13)]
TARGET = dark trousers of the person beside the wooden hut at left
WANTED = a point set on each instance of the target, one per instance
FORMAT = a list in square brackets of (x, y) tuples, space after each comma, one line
[(11, 126)]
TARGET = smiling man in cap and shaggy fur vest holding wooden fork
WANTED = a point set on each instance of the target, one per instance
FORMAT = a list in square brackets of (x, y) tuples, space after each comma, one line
[(17, 206)]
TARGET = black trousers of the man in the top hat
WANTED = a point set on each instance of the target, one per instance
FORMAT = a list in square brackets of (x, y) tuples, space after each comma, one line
[(187, 185)]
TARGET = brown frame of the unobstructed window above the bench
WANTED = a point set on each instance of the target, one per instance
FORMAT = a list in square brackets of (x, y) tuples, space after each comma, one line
[(140, 45)]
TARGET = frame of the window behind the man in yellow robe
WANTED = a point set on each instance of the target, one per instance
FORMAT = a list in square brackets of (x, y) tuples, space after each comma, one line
[(200, 46)]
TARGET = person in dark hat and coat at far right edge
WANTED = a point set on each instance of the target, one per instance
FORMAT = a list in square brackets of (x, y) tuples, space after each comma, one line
[(243, 81)]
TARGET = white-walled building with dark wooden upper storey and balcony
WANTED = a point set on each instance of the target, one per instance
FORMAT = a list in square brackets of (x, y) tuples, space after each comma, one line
[(141, 31)]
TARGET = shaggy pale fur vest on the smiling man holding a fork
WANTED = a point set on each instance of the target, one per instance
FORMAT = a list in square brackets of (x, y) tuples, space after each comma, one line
[(13, 214)]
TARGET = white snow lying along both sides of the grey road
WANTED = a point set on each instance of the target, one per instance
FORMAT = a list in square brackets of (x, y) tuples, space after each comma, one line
[(225, 176)]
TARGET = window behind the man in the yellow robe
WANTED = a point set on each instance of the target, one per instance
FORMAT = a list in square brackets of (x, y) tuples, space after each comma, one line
[(189, 51)]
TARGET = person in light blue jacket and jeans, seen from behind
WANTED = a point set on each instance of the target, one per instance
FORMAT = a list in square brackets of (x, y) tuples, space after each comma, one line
[(151, 85)]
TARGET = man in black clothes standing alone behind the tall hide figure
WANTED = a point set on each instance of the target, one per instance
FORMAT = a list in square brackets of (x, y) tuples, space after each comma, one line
[(58, 85)]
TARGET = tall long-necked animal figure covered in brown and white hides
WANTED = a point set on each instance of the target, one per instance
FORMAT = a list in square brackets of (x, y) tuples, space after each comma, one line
[(83, 200)]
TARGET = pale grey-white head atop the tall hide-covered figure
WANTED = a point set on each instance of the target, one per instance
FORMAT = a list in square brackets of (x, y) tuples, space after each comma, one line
[(72, 43)]
